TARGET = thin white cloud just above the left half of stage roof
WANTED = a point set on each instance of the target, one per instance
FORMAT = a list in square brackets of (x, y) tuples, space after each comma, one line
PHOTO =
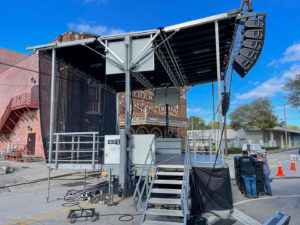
[(96, 29)]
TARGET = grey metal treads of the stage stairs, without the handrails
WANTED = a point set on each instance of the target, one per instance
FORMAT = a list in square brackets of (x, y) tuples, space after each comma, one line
[(163, 205)]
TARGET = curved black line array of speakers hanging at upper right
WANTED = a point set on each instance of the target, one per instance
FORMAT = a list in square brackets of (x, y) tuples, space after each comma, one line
[(253, 36)]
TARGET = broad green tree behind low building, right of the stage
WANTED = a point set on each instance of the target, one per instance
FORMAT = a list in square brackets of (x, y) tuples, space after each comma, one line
[(259, 113)]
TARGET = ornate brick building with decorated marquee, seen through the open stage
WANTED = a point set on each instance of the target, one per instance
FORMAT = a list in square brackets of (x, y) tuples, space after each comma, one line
[(150, 119)]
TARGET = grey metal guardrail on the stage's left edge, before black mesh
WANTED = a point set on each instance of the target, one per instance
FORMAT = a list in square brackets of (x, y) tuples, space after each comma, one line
[(76, 148)]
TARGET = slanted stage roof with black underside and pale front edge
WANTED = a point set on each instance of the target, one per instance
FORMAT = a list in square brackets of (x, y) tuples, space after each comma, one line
[(185, 54)]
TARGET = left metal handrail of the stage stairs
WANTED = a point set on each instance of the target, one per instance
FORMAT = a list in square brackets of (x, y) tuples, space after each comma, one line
[(137, 190)]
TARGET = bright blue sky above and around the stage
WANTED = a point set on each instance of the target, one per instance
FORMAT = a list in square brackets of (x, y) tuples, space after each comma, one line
[(33, 22)]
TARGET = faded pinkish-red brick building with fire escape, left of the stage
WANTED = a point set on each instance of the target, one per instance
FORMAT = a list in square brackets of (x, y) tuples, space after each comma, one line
[(20, 122)]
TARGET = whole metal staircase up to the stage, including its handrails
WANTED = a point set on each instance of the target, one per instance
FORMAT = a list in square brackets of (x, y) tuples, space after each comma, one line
[(167, 199)]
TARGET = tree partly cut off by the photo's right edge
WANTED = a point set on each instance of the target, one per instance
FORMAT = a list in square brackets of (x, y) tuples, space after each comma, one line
[(293, 88)]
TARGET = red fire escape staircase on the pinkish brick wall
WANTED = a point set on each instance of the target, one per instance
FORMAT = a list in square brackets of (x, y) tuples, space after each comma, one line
[(19, 108)]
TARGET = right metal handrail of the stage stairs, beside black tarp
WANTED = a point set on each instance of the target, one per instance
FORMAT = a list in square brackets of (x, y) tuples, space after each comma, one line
[(185, 181)]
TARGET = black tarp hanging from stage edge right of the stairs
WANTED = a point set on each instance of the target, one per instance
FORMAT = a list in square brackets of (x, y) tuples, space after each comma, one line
[(216, 195)]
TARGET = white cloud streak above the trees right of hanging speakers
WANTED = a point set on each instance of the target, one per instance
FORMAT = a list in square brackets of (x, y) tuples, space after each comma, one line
[(272, 86)]
